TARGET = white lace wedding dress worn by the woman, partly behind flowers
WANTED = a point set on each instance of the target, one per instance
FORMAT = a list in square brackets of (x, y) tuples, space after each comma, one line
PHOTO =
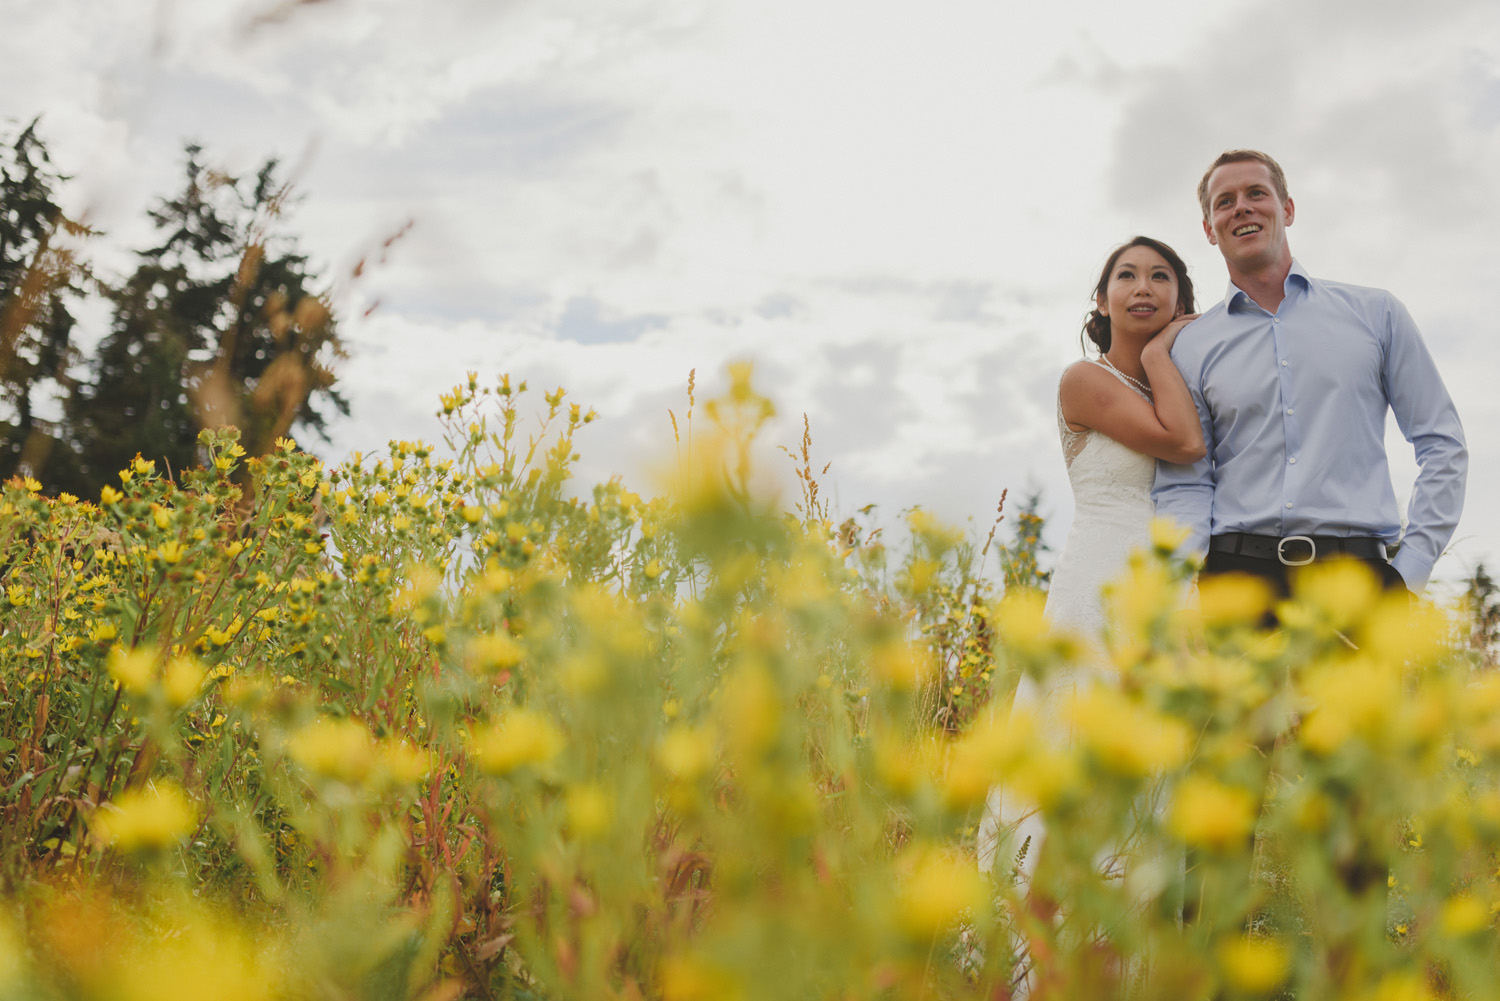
[(1112, 519)]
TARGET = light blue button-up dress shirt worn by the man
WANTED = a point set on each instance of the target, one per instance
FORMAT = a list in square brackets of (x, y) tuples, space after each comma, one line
[(1294, 409)]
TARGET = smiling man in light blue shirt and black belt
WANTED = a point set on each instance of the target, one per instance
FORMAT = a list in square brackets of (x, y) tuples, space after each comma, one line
[(1292, 377)]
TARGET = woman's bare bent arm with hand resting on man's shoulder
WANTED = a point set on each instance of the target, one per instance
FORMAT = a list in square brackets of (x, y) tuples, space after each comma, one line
[(1172, 431)]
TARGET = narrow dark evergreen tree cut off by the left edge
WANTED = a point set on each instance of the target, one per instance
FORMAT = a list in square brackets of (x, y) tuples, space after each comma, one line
[(40, 277)]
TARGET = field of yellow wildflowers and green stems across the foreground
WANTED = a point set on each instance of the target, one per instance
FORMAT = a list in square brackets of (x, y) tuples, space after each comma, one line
[(440, 724)]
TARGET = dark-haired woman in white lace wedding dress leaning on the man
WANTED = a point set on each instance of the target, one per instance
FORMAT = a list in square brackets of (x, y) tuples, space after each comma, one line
[(1117, 415)]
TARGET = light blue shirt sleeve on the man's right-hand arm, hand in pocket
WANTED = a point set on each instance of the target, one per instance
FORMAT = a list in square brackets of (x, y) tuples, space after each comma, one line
[(1429, 419)]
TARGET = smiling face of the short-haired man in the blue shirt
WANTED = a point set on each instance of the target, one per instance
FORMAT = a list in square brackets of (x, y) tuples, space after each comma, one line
[(1247, 220)]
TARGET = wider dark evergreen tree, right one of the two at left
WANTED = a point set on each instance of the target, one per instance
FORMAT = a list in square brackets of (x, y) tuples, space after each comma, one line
[(217, 326)]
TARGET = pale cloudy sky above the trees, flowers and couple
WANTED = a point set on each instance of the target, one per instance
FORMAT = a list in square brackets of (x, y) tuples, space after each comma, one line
[(895, 211)]
